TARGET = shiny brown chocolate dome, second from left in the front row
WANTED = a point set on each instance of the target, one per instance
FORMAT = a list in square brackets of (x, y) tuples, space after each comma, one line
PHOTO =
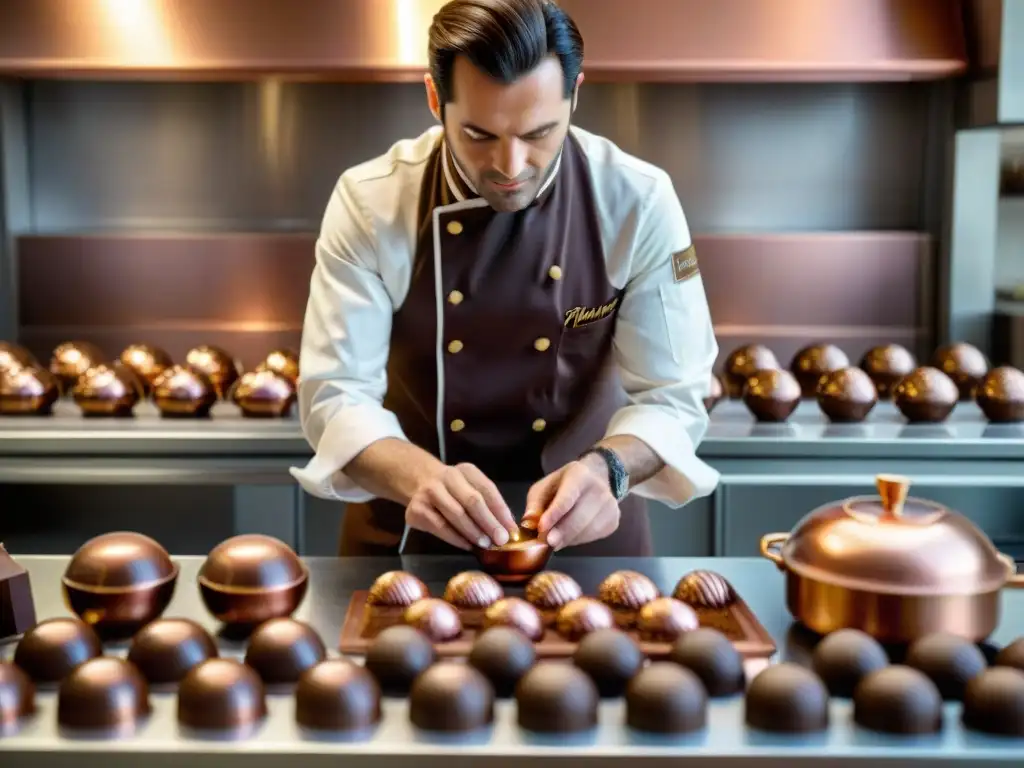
[(104, 694)]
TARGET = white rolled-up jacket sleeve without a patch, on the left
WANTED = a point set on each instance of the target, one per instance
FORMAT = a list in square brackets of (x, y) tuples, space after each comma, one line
[(346, 342)]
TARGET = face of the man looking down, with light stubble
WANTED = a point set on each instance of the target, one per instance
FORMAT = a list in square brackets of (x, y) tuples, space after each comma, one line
[(506, 138)]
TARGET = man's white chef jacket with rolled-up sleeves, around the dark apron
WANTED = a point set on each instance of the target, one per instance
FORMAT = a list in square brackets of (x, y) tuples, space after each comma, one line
[(664, 345)]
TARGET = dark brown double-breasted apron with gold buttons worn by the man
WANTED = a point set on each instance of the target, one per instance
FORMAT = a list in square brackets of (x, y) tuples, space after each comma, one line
[(529, 316)]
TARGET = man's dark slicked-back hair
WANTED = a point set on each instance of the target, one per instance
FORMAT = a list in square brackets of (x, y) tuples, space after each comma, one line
[(504, 38)]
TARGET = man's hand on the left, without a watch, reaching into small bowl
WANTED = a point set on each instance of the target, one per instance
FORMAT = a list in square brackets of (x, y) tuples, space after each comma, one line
[(462, 507)]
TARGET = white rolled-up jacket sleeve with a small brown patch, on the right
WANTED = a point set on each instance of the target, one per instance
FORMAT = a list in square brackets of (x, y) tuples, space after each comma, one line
[(665, 348)]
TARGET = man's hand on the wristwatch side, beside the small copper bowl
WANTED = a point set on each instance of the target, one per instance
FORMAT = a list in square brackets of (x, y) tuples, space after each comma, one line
[(574, 505)]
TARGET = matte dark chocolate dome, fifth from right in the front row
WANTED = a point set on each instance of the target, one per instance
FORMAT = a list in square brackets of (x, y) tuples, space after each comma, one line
[(557, 698)]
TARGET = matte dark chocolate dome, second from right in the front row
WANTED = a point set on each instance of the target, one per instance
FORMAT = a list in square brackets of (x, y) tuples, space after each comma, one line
[(899, 700)]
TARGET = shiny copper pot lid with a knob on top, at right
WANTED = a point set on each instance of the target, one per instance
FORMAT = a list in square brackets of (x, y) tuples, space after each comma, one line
[(895, 544)]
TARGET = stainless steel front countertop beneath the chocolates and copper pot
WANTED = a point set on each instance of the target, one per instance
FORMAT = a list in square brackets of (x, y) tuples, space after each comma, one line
[(727, 742)]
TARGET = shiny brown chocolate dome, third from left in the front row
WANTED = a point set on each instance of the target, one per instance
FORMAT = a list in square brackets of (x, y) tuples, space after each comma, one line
[(222, 695)]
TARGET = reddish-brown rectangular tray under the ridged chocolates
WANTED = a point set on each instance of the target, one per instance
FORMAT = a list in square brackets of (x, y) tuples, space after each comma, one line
[(737, 622)]
